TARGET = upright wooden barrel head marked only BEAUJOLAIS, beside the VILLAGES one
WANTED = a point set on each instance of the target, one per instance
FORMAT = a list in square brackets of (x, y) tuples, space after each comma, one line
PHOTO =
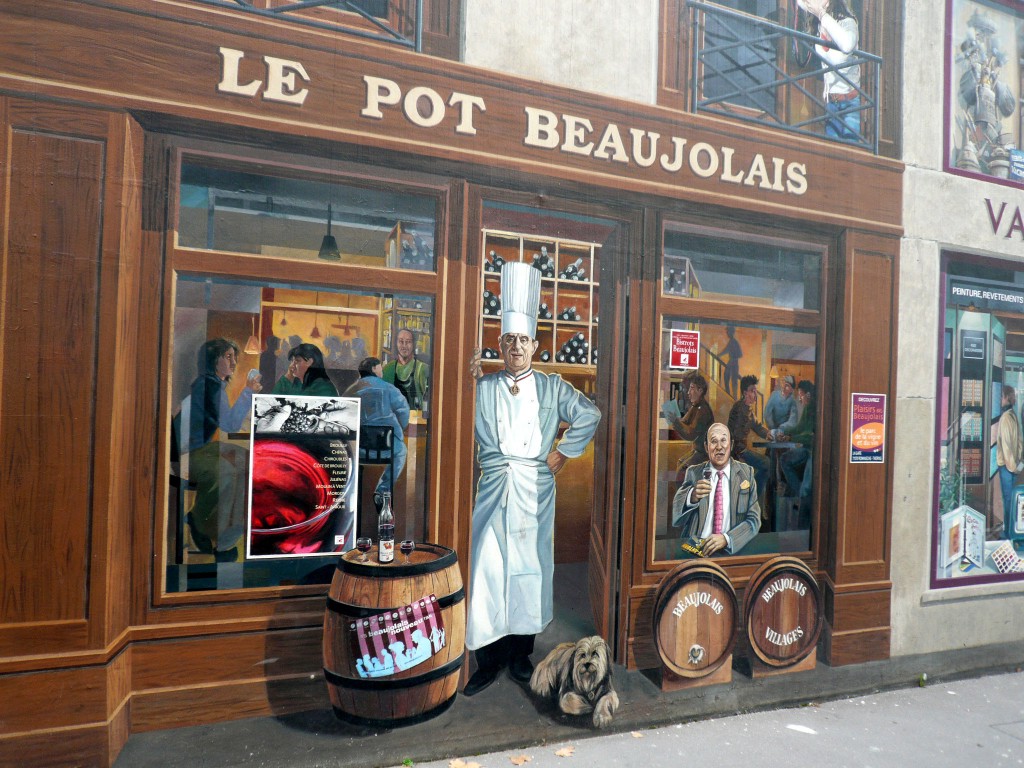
[(696, 612)]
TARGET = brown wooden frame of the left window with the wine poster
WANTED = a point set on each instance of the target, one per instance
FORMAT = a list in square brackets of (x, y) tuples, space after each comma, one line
[(255, 268)]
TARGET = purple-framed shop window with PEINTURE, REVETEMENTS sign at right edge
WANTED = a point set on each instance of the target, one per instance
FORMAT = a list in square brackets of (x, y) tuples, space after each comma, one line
[(979, 527)]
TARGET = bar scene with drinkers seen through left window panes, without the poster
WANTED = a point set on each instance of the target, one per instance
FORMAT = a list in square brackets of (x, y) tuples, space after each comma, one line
[(234, 339)]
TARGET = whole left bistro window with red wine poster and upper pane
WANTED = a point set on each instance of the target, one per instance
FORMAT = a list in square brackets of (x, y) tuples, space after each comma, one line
[(285, 277)]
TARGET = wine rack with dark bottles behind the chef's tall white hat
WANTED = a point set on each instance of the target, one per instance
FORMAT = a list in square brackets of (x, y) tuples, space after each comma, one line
[(567, 327)]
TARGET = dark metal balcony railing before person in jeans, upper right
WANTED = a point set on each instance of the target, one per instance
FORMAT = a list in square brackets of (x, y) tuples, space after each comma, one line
[(754, 70)]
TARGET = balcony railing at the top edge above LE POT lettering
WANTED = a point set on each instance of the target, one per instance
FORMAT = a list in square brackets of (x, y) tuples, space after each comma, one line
[(399, 22)]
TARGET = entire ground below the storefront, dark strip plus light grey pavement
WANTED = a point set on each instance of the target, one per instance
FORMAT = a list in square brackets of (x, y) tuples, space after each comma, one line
[(506, 717)]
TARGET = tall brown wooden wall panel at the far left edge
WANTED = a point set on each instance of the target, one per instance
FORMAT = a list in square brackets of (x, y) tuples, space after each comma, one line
[(48, 430)]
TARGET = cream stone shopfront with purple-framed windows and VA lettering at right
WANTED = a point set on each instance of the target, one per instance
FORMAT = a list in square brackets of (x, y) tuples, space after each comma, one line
[(959, 286)]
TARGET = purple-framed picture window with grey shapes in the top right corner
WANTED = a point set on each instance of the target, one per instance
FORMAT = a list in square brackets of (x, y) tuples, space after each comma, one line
[(987, 87)]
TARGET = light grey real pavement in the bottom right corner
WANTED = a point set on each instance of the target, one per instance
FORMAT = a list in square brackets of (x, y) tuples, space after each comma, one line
[(976, 722)]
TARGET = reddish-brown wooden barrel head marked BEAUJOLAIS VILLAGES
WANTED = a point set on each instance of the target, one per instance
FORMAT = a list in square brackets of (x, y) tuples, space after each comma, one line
[(783, 612)]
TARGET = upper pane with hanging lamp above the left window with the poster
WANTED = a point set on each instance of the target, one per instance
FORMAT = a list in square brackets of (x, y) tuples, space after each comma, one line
[(240, 211)]
